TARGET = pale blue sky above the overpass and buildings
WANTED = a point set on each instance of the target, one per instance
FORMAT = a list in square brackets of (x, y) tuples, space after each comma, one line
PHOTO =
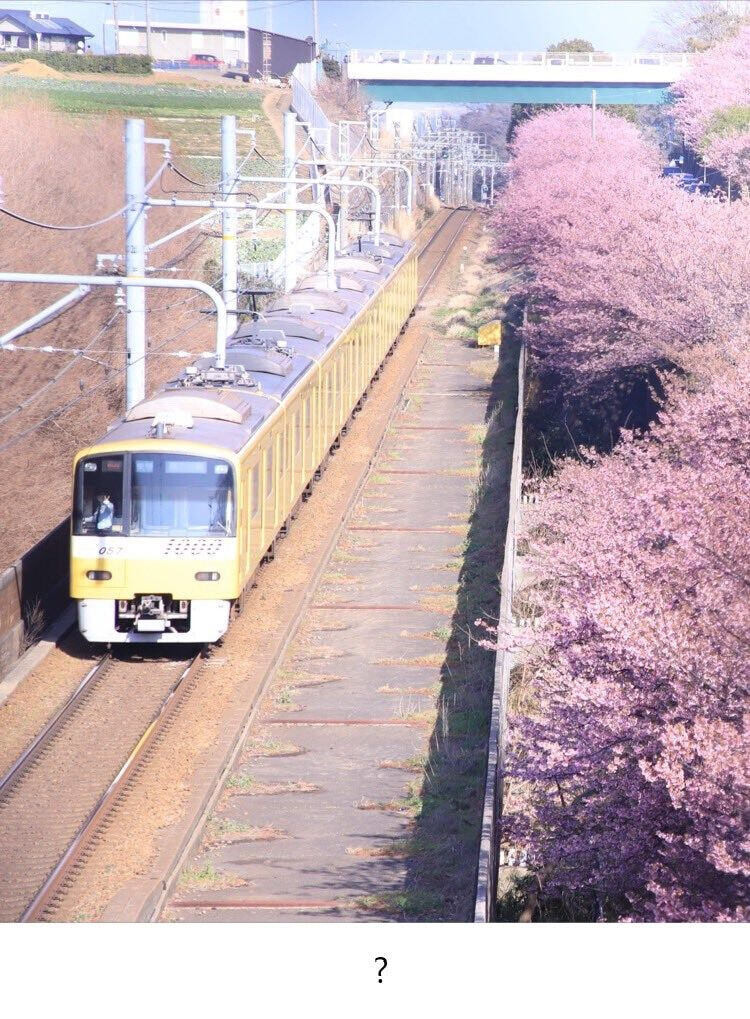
[(502, 25)]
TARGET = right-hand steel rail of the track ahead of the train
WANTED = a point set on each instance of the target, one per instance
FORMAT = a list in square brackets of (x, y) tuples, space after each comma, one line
[(56, 882)]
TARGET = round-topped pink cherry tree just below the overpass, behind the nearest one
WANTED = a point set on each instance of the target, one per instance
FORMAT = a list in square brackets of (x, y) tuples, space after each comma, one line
[(623, 270)]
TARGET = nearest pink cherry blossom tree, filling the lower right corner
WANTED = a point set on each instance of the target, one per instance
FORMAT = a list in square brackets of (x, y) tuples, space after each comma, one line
[(635, 759)]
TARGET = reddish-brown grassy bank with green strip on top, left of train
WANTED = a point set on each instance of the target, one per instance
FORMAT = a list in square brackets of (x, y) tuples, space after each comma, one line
[(62, 163)]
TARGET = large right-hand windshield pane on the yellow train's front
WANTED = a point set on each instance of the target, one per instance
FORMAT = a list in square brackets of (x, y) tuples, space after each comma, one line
[(183, 496)]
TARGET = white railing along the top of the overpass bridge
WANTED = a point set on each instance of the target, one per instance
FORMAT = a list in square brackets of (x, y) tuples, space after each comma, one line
[(540, 59)]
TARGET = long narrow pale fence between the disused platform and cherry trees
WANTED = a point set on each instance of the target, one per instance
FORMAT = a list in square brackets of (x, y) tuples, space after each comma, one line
[(487, 897)]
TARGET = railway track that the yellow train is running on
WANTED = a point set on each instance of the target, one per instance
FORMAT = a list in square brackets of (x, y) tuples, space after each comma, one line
[(56, 800)]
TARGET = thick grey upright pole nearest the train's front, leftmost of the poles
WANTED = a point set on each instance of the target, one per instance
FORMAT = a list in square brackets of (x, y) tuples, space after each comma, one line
[(135, 261)]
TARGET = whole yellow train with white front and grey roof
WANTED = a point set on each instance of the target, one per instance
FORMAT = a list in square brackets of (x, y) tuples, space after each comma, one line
[(177, 506)]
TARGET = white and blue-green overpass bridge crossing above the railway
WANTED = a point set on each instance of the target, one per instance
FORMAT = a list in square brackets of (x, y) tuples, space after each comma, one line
[(493, 77)]
